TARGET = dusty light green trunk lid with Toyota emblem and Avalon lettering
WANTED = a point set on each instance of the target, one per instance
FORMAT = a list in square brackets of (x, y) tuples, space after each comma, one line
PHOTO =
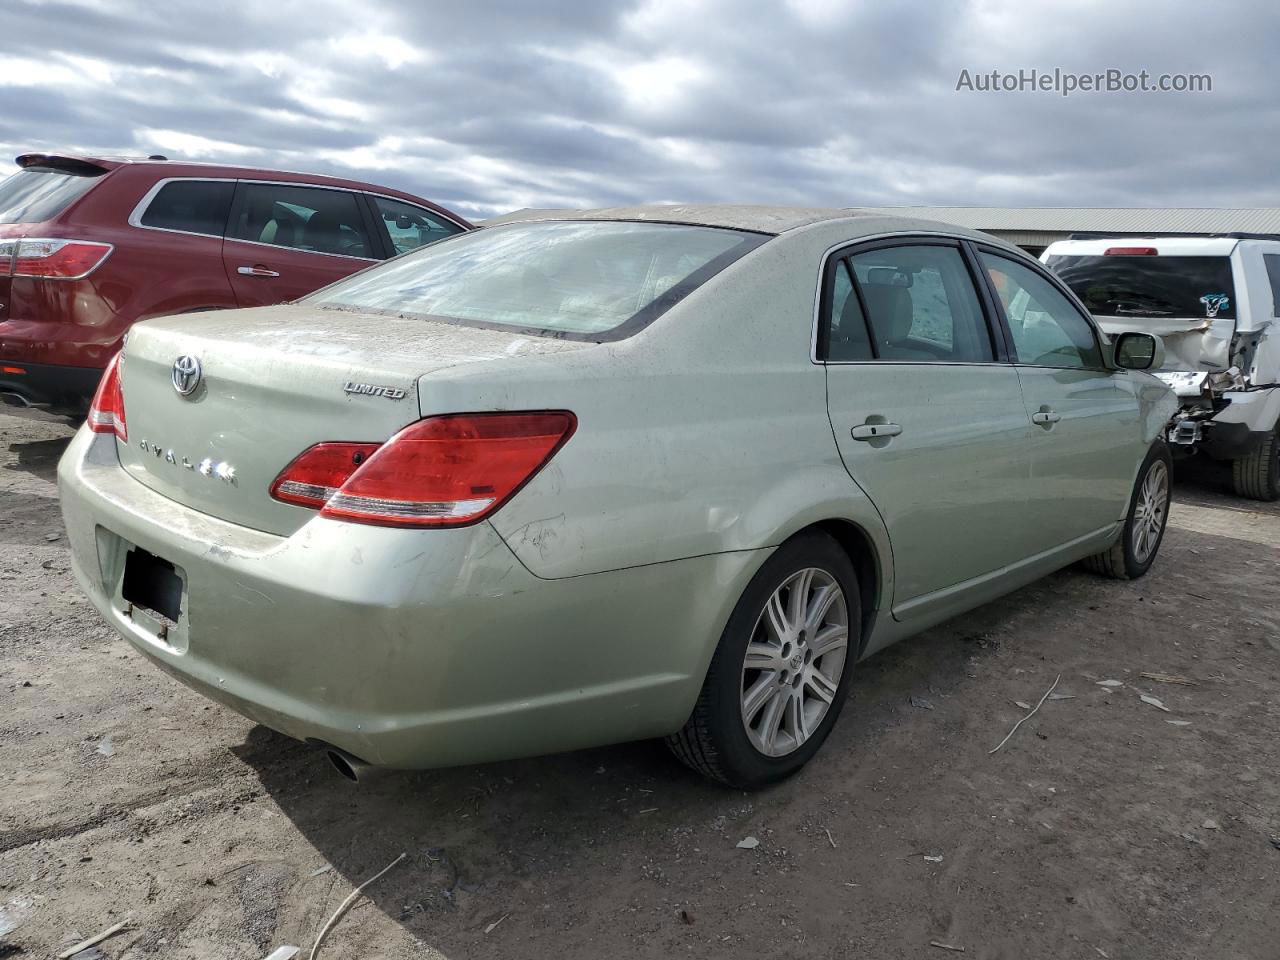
[(273, 382)]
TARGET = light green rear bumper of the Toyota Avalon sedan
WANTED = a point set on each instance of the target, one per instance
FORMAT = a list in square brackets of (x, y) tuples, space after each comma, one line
[(404, 648)]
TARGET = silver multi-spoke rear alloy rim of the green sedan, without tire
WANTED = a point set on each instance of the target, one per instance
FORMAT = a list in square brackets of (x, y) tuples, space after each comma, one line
[(794, 662)]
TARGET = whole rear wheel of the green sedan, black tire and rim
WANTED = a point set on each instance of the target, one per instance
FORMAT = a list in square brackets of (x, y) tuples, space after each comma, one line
[(780, 675)]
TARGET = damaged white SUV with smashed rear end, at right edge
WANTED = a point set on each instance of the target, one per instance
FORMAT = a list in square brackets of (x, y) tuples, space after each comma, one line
[(1215, 304)]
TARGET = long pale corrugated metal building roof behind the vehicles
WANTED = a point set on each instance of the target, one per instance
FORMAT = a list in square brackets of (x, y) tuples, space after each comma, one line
[(1039, 220)]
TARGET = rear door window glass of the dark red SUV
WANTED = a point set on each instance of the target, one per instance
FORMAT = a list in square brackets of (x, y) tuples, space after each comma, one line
[(305, 218)]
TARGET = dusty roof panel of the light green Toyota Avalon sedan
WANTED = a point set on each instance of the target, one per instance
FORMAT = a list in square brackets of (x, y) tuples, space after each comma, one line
[(758, 220)]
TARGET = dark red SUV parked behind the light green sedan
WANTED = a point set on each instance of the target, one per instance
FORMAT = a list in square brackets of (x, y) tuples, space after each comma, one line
[(92, 245)]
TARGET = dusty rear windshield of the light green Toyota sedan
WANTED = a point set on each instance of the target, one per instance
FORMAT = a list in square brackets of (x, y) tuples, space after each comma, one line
[(591, 281)]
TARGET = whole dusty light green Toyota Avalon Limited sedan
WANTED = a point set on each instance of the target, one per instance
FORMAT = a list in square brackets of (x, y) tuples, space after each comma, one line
[(607, 476)]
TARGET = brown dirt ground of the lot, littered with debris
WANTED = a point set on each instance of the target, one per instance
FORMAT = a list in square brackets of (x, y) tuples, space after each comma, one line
[(1107, 828)]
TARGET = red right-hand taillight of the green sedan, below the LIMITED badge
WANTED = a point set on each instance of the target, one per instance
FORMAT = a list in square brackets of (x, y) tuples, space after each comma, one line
[(442, 472)]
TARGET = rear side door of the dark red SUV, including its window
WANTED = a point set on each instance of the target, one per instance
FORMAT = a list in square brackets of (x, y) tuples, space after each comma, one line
[(287, 240)]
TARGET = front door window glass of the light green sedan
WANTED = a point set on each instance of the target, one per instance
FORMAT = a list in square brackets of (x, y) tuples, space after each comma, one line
[(1048, 330)]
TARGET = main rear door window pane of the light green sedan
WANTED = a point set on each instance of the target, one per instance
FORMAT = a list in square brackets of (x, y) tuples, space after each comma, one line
[(922, 305)]
